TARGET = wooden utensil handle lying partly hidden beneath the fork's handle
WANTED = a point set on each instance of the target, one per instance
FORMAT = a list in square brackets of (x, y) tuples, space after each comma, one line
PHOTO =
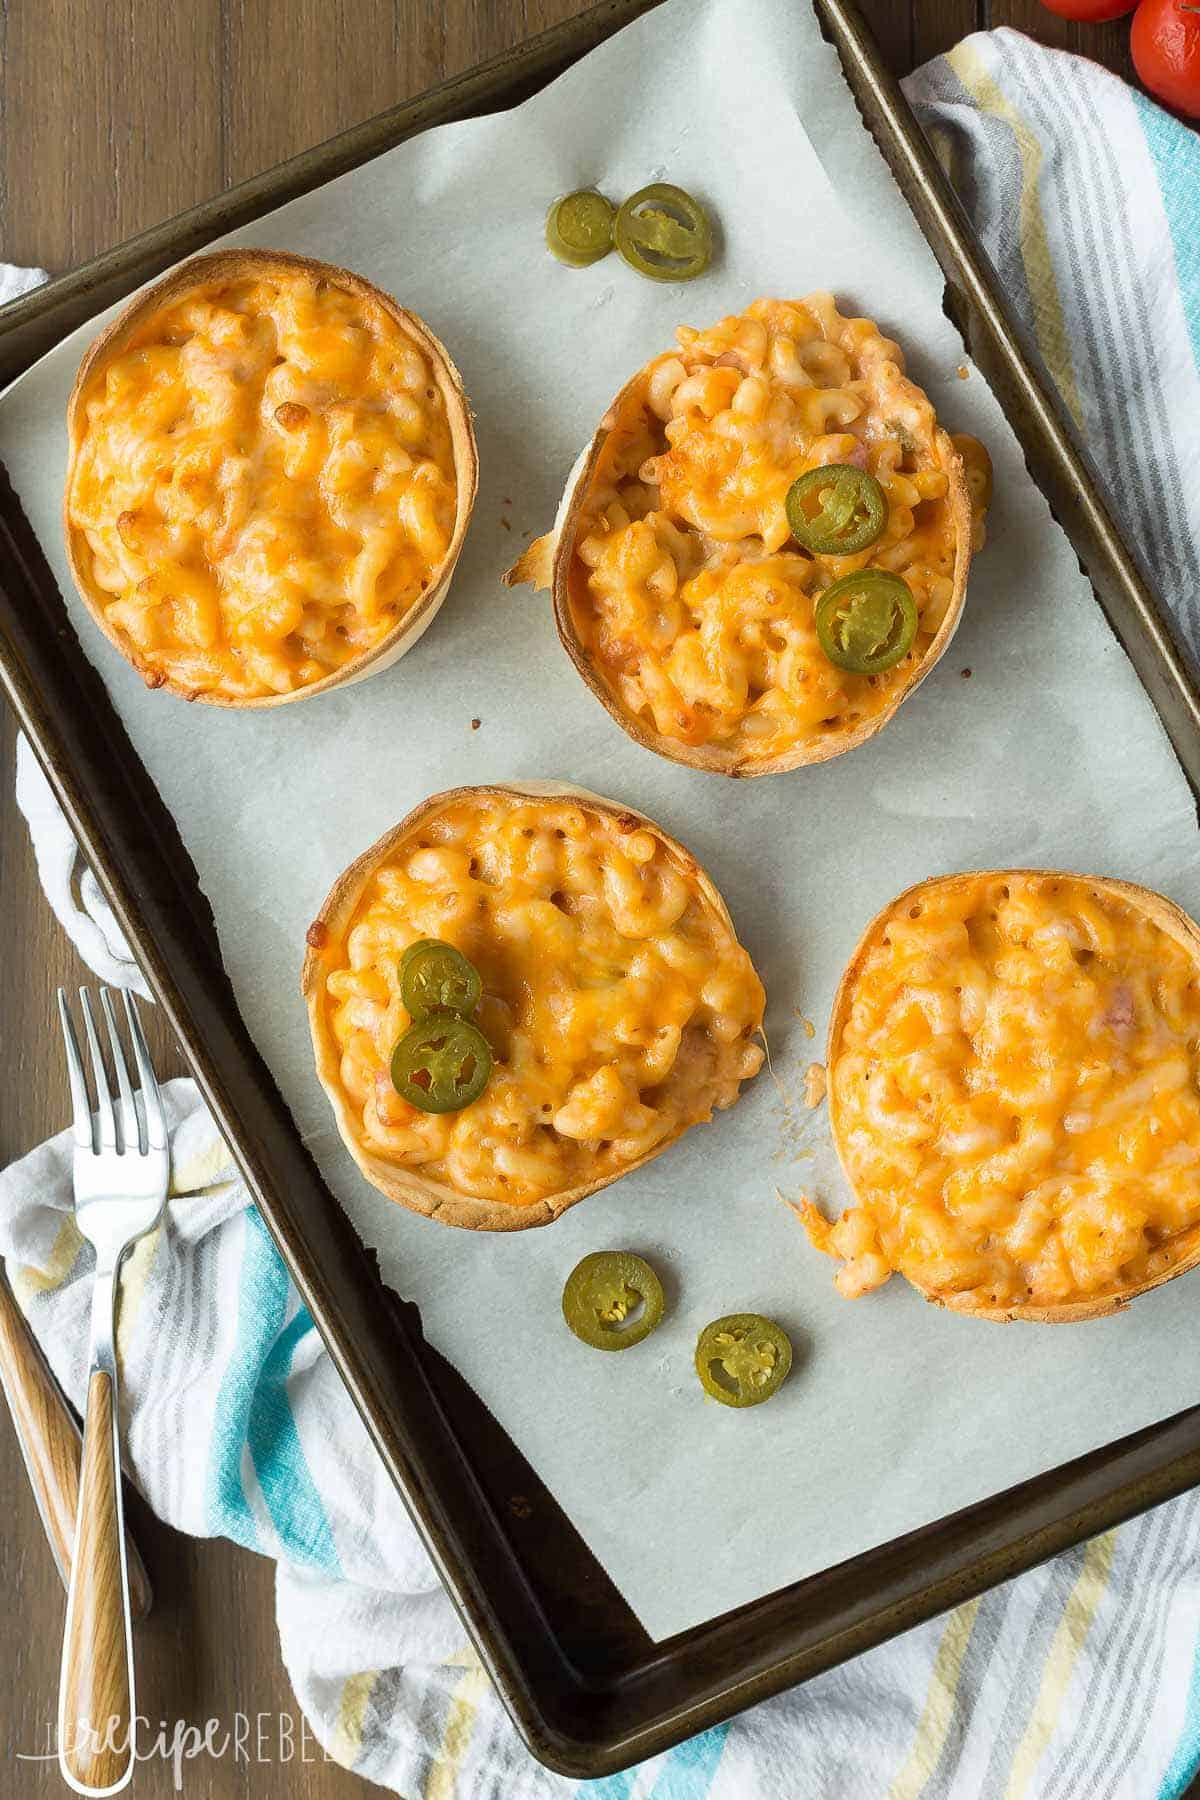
[(49, 1441)]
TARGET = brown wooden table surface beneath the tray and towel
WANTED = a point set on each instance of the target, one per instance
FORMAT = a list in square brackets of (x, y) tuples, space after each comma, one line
[(116, 116)]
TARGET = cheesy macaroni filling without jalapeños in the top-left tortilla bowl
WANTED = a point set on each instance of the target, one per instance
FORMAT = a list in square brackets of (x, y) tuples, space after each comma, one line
[(265, 485)]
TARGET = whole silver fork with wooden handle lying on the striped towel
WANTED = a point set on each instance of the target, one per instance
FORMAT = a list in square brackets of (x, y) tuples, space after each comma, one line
[(121, 1173)]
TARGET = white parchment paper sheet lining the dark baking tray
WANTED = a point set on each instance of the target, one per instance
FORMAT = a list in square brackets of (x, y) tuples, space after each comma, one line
[(1050, 755)]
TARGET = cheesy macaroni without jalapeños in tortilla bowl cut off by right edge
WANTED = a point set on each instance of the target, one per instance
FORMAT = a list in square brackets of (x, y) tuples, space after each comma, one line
[(1016, 1095)]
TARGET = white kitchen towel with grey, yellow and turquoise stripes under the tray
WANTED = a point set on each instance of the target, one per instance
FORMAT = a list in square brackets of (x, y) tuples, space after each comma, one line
[(1079, 1680)]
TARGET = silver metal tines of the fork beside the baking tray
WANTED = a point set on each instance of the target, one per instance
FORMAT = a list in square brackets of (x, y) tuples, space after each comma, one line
[(118, 1129)]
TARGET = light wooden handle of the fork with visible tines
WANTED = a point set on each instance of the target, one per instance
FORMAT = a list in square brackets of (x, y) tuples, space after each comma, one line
[(96, 1700)]
